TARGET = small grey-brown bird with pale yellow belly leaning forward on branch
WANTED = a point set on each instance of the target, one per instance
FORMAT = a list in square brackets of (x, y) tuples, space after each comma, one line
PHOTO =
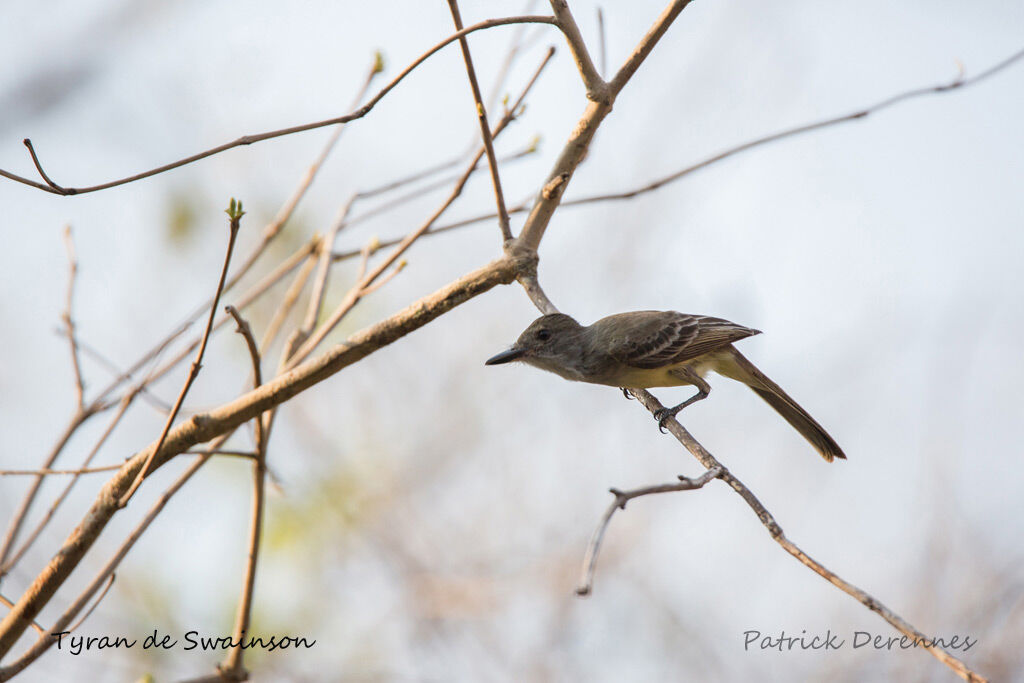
[(657, 349)]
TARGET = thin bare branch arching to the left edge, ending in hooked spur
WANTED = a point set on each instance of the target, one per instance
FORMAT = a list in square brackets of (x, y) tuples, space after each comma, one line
[(55, 189)]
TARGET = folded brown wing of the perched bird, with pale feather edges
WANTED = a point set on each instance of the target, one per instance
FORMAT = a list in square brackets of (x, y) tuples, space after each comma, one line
[(656, 338)]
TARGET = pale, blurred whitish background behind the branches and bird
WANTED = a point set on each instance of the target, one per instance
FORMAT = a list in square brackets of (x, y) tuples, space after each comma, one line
[(431, 516)]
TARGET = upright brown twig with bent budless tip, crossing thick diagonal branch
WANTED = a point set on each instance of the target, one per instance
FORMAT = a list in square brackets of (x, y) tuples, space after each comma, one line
[(233, 665)]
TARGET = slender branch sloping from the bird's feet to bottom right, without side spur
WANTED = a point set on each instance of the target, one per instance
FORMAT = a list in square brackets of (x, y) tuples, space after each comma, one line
[(710, 462)]
